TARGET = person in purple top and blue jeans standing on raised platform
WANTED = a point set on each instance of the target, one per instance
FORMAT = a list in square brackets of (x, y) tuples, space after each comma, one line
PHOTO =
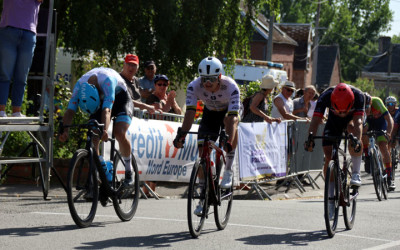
[(17, 44)]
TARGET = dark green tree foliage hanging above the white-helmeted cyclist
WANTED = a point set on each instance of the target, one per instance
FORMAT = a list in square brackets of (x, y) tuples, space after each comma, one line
[(175, 34)]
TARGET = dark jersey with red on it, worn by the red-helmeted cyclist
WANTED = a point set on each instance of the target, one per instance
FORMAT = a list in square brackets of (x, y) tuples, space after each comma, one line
[(324, 101)]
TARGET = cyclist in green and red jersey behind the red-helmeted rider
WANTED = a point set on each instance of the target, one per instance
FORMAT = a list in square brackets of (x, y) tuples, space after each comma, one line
[(378, 118)]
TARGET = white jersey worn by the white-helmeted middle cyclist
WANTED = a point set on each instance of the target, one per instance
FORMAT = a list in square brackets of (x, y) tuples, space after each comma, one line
[(226, 98)]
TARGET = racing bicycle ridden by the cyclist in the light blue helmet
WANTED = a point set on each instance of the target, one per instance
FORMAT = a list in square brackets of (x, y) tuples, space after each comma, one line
[(87, 182)]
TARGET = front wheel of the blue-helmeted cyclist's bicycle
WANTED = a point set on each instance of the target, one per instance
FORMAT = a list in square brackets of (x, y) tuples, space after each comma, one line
[(82, 189)]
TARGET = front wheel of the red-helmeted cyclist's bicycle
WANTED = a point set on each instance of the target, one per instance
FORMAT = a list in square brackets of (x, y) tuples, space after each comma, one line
[(331, 196)]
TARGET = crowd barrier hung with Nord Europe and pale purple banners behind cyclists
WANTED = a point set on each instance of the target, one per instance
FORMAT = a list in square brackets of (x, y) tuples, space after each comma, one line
[(265, 152)]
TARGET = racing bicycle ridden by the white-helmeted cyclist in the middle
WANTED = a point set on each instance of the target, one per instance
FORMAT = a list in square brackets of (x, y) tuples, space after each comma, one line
[(208, 190)]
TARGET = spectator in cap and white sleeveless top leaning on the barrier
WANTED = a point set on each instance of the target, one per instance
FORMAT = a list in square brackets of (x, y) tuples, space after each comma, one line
[(282, 106)]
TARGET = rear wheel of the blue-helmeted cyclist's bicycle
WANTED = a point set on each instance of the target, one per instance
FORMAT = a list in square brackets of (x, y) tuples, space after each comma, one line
[(126, 202)]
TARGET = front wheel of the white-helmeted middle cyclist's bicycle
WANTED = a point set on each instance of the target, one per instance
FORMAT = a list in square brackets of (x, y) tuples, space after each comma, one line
[(198, 192)]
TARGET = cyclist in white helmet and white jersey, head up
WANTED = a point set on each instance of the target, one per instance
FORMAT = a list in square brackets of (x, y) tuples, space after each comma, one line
[(221, 97)]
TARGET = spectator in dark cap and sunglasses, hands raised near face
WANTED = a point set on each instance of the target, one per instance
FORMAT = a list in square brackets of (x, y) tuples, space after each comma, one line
[(162, 100)]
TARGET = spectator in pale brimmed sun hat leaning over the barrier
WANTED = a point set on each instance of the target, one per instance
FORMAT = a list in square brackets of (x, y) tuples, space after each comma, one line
[(258, 103)]
